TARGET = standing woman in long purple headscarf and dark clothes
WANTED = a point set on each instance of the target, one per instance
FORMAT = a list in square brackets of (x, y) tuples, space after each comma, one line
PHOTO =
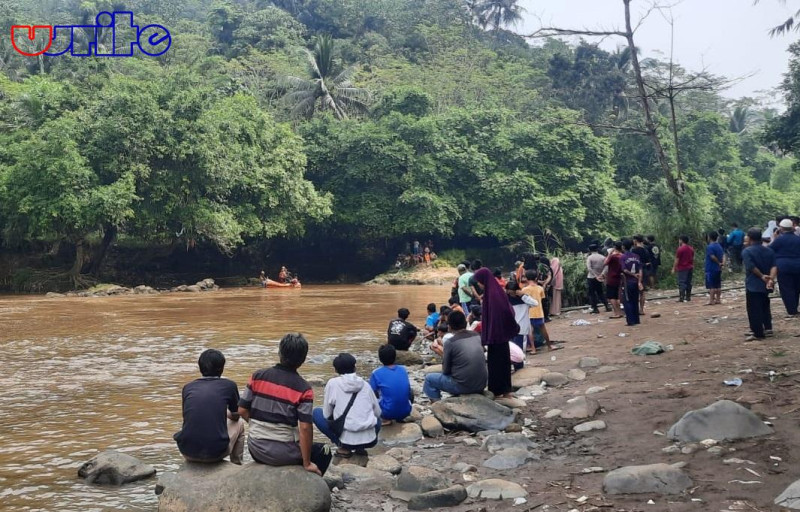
[(498, 327)]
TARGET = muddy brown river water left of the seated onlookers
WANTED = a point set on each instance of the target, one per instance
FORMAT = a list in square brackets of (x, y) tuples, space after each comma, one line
[(81, 375)]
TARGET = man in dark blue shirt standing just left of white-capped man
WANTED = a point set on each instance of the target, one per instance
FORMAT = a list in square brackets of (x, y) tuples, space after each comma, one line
[(760, 273)]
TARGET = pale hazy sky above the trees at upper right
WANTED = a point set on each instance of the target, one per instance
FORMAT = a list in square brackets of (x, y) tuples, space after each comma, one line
[(725, 37)]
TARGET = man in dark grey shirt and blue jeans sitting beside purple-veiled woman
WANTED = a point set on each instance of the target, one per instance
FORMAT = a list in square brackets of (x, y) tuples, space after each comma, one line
[(463, 363)]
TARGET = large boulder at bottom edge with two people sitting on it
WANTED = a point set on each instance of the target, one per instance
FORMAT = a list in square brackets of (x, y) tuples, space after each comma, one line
[(224, 487)]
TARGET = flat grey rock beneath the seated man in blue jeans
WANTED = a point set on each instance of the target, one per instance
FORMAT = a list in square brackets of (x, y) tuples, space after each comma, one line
[(473, 413)]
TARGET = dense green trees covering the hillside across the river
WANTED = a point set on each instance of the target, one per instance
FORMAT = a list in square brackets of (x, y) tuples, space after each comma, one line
[(366, 121)]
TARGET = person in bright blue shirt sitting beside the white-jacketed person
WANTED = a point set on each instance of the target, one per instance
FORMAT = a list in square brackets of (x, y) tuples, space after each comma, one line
[(391, 385)]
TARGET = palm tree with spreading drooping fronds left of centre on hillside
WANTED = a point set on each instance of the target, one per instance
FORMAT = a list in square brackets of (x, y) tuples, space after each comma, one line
[(327, 87)]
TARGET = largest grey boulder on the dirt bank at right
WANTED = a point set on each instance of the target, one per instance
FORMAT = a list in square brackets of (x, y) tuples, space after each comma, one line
[(719, 421)]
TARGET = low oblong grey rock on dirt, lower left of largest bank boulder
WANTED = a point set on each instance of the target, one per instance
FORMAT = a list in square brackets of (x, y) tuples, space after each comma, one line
[(653, 478)]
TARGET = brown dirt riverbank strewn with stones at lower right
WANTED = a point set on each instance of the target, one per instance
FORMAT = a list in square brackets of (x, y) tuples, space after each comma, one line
[(644, 397)]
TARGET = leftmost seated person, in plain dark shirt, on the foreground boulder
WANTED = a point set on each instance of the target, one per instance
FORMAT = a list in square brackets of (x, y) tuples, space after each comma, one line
[(212, 428)]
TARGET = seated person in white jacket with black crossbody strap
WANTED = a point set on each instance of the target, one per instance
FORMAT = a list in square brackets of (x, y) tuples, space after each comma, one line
[(350, 396)]
